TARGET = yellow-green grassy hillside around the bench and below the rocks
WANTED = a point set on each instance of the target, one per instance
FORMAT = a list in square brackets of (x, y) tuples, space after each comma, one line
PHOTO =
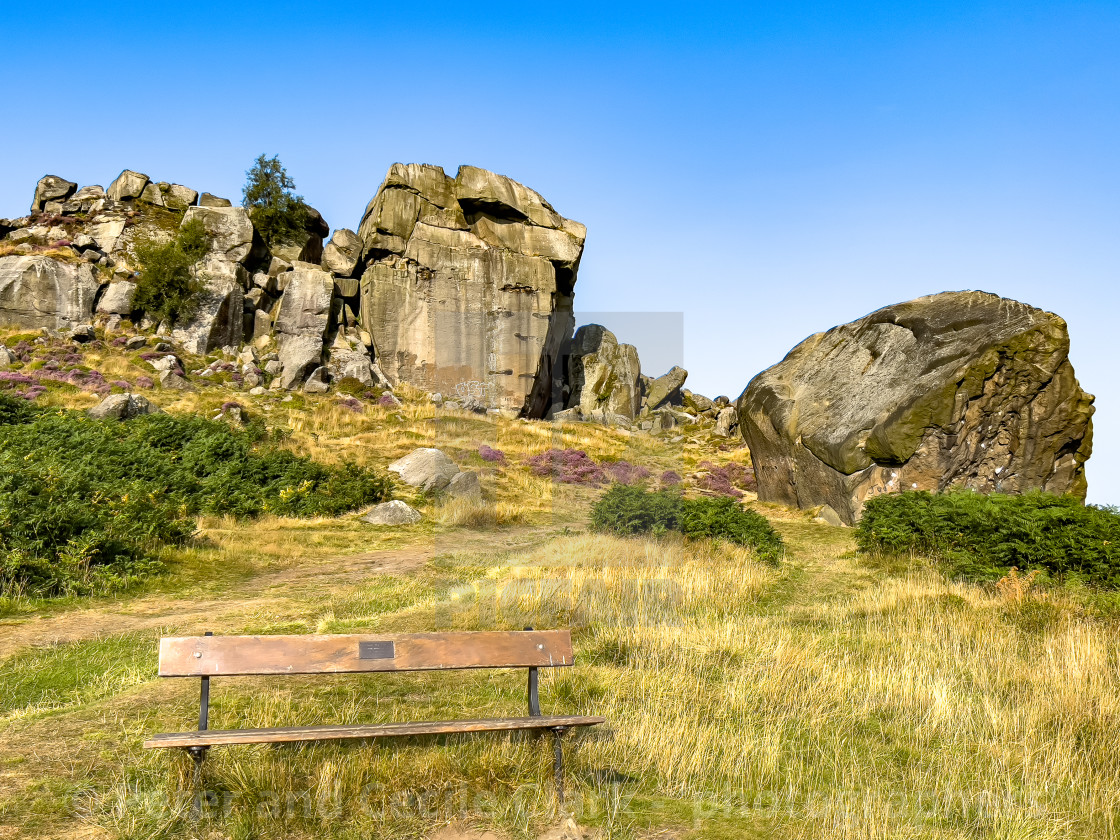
[(829, 696)]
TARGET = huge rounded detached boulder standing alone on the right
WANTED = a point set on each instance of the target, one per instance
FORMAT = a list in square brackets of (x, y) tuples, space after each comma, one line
[(953, 390)]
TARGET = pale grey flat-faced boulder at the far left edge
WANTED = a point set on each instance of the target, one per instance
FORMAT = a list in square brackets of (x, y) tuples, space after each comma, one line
[(41, 292)]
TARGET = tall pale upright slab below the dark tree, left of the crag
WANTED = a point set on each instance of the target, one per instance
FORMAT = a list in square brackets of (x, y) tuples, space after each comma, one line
[(302, 323)]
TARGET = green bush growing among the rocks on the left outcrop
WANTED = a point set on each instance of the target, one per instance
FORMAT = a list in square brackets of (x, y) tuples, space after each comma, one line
[(166, 287)]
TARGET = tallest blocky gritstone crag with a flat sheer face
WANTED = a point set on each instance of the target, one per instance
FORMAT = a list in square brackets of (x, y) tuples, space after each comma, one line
[(469, 287)]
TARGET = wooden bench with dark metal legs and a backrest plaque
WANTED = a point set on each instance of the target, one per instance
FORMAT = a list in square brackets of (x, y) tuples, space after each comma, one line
[(207, 657)]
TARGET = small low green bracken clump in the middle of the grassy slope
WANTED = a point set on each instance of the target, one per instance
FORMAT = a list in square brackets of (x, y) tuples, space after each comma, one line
[(632, 510)]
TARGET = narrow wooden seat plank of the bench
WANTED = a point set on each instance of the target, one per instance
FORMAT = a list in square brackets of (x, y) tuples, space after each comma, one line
[(365, 731)]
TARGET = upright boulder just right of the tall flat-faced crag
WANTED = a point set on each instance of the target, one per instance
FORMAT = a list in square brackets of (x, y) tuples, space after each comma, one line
[(604, 376)]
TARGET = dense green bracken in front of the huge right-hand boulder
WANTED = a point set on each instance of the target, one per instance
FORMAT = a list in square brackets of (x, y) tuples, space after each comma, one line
[(982, 537)]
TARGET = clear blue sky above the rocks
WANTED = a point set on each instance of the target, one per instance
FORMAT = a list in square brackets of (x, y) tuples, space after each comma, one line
[(767, 170)]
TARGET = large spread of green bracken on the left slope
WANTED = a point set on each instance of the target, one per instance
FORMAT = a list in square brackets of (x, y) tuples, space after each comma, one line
[(87, 506)]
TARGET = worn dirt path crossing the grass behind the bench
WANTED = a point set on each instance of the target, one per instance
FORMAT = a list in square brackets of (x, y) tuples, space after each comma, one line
[(269, 592)]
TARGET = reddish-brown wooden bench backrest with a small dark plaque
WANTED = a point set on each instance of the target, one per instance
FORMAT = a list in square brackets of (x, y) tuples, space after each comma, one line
[(262, 656)]
